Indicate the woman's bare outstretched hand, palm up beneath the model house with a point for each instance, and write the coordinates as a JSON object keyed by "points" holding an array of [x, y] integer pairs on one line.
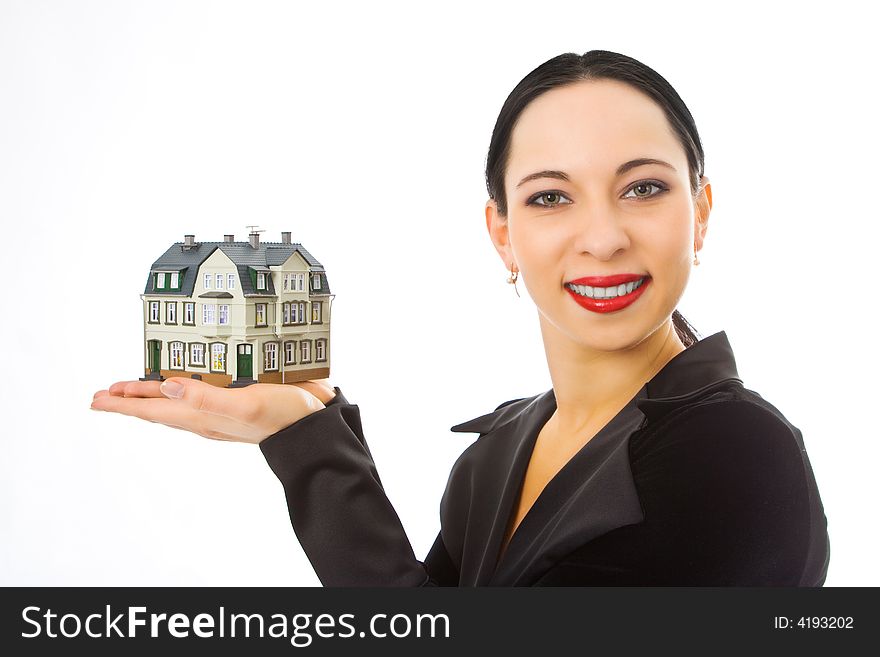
{"points": [[248, 414]]}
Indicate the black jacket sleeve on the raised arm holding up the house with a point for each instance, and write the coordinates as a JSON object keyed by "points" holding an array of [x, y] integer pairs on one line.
{"points": [[345, 523]]}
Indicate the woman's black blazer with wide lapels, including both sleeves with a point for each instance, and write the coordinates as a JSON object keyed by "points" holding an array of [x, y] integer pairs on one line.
{"points": [[698, 481]]}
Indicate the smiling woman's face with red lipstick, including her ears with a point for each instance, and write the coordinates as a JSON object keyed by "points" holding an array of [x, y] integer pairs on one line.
{"points": [[580, 207]]}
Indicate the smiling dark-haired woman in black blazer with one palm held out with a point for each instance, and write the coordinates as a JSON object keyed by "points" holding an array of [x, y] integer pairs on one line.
{"points": [[648, 463]]}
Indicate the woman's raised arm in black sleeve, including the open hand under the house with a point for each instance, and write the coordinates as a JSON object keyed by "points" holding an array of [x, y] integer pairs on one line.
{"points": [[314, 443]]}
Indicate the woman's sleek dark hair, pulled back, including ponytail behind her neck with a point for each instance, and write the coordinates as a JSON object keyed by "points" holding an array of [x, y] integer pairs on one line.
{"points": [[569, 68]]}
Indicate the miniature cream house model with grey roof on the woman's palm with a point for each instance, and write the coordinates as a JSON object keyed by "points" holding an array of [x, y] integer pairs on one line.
{"points": [[235, 313]]}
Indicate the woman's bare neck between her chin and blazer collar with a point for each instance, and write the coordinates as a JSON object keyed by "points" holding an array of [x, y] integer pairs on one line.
{"points": [[592, 385]]}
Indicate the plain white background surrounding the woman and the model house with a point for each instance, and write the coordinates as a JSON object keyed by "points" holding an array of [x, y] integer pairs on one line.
{"points": [[363, 129]]}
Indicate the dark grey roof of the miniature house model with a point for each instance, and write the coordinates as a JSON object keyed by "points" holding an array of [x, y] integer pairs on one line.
{"points": [[187, 260]]}
